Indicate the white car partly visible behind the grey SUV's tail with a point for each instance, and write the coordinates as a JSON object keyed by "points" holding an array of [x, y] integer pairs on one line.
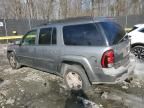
{"points": [[137, 41]]}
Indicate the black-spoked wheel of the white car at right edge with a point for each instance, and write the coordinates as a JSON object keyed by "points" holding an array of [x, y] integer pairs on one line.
{"points": [[138, 51]]}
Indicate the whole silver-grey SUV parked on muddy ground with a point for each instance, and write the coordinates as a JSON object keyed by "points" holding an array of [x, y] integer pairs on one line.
{"points": [[84, 51]]}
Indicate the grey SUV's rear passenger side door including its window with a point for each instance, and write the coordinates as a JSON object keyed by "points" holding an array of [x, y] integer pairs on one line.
{"points": [[47, 51]]}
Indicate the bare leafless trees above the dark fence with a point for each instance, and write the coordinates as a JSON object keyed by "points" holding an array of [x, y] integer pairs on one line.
{"points": [[61, 9]]}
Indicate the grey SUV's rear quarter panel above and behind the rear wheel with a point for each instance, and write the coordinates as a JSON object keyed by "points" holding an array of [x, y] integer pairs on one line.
{"points": [[89, 57]]}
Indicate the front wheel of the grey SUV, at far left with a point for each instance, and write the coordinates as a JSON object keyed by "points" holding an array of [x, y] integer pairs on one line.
{"points": [[13, 61]]}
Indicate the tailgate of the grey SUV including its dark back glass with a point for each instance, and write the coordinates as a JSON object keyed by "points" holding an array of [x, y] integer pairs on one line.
{"points": [[115, 37]]}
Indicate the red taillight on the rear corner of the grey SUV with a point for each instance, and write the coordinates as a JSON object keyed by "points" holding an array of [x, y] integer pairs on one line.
{"points": [[107, 60]]}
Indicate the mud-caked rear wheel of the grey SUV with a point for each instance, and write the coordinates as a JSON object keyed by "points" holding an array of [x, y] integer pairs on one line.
{"points": [[75, 78]]}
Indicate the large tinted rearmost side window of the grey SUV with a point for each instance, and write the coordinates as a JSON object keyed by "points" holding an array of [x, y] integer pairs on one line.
{"points": [[83, 35]]}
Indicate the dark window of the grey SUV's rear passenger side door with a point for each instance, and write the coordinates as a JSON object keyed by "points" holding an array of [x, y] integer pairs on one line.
{"points": [[47, 36]]}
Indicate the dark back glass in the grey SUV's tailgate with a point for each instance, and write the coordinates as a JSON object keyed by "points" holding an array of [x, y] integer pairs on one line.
{"points": [[113, 31]]}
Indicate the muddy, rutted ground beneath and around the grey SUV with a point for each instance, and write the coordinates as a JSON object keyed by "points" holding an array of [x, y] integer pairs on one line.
{"points": [[30, 88]]}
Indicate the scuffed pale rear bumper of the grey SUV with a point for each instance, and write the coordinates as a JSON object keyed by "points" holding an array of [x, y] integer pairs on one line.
{"points": [[114, 76]]}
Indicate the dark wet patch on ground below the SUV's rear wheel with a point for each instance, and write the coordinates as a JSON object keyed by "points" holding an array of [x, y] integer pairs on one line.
{"points": [[75, 99]]}
